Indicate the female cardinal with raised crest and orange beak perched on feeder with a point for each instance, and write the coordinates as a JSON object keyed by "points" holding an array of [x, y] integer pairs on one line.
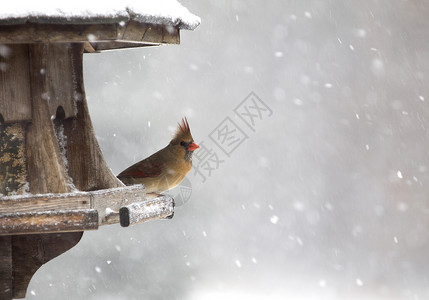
{"points": [[166, 168]]}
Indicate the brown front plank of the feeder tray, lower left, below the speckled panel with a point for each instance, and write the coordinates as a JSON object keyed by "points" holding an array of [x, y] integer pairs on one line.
{"points": [[48, 221]]}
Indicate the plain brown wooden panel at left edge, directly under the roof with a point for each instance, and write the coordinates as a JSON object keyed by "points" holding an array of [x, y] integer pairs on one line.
{"points": [[15, 102]]}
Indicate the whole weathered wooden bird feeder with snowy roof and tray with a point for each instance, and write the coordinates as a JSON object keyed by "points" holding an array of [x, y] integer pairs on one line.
{"points": [[54, 182]]}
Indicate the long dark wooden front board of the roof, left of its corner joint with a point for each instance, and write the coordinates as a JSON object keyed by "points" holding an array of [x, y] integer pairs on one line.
{"points": [[50, 33]]}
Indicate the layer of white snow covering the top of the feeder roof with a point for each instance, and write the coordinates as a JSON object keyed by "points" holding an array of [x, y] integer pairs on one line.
{"points": [[167, 12]]}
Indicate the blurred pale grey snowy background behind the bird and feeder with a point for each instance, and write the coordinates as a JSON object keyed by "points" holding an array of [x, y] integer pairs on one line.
{"points": [[322, 192]]}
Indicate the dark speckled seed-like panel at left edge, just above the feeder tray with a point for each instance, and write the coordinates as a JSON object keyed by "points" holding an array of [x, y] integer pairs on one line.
{"points": [[12, 160]]}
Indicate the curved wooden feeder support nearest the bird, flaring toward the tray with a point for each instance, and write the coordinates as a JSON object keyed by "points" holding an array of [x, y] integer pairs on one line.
{"points": [[86, 164]]}
